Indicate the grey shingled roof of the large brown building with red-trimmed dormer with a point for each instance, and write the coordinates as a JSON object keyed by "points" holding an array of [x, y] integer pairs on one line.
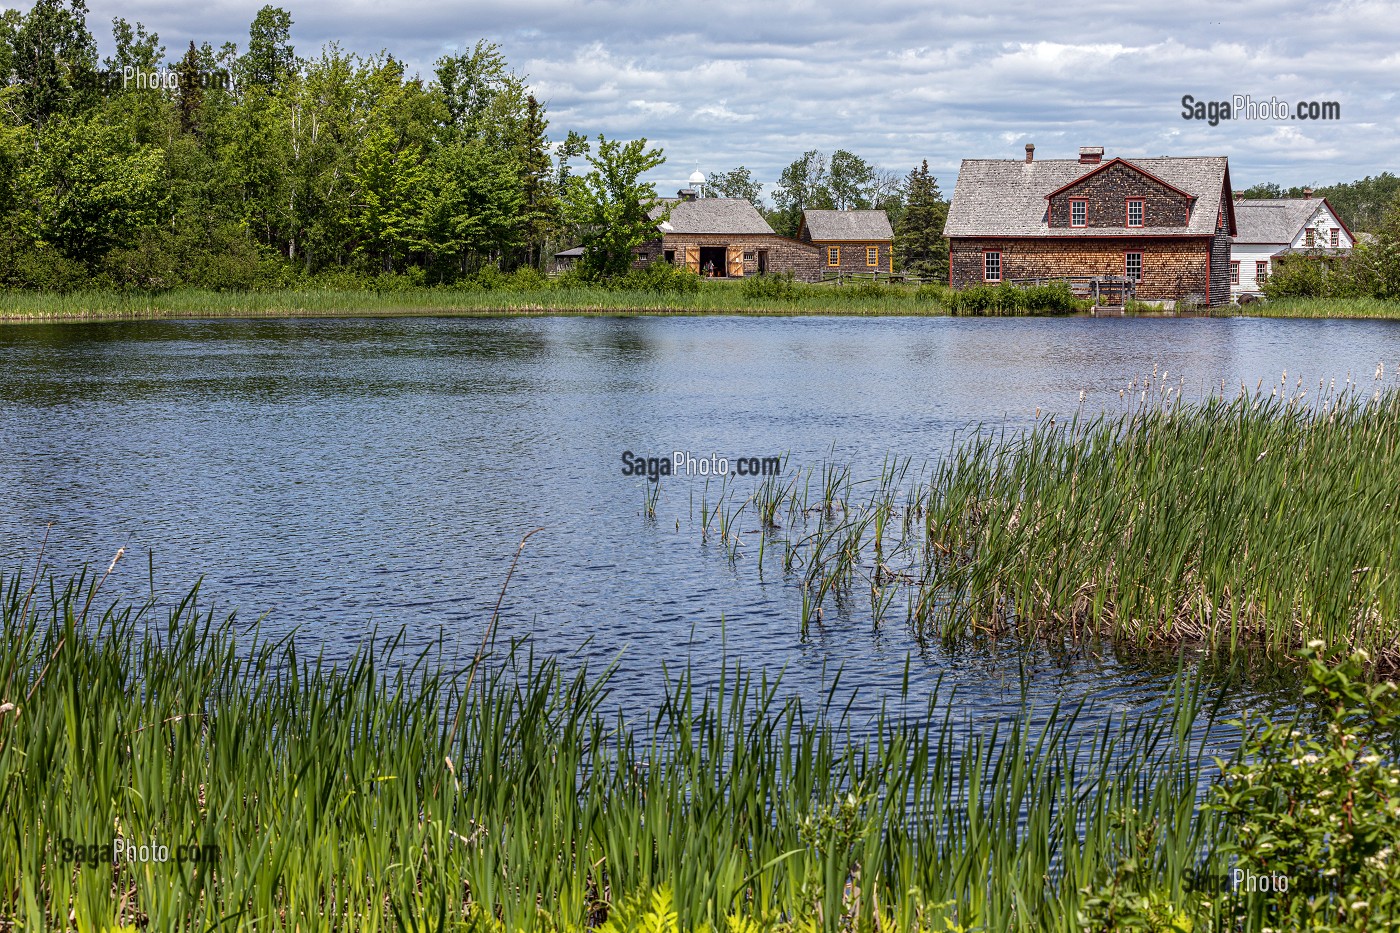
{"points": [[1007, 197]]}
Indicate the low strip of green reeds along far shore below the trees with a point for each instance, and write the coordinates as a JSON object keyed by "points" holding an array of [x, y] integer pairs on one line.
{"points": [[713, 298]]}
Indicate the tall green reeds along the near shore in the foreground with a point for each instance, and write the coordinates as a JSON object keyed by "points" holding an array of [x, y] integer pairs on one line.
{"points": [[391, 792]]}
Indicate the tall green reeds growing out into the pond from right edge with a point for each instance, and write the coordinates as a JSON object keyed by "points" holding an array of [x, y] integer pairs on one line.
{"points": [[1251, 526]]}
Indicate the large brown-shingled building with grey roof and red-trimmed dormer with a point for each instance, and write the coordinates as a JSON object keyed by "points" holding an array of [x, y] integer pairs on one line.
{"points": [[1163, 225]]}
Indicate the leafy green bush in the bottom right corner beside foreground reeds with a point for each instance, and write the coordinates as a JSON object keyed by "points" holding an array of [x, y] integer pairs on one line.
{"points": [[1321, 810]]}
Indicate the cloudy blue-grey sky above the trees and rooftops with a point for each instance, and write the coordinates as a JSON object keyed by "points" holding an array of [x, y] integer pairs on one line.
{"points": [[757, 83]]}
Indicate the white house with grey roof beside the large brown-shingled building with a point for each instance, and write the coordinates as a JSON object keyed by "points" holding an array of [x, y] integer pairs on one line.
{"points": [[1276, 228]]}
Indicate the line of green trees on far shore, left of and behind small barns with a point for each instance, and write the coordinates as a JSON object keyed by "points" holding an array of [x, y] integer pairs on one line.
{"points": [[255, 167]]}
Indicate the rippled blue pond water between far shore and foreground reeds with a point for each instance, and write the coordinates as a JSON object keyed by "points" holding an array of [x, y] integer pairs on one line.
{"points": [[339, 476]]}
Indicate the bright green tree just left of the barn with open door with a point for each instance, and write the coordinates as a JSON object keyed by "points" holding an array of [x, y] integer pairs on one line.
{"points": [[612, 205]]}
